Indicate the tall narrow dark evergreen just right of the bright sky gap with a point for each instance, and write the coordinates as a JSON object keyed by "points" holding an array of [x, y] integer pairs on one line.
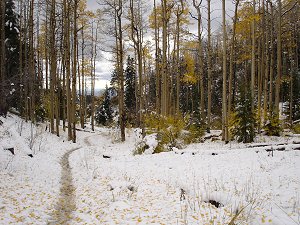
{"points": [[130, 98]]}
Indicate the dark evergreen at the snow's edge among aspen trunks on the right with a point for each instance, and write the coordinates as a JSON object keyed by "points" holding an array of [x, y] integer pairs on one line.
{"points": [[243, 123]]}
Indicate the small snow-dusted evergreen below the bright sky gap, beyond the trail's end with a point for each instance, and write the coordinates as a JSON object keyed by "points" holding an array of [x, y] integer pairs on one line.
{"points": [[104, 113]]}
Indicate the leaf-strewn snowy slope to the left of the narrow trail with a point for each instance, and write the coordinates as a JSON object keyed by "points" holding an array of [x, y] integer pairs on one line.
{"points": [[29, 186]]}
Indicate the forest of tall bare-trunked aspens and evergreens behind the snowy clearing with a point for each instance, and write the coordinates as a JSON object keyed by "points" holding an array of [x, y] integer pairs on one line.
{"points": [[173, 65]]}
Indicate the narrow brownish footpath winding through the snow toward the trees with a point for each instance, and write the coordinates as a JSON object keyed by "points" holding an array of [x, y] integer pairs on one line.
{"points": [[66, 203]]}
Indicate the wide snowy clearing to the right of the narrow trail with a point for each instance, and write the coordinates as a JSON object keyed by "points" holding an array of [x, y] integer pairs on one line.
{"points": [[176, 187]]}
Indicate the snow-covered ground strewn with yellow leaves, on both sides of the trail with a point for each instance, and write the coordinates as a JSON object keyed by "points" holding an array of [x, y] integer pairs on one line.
{"points": [[247, 183]]}
